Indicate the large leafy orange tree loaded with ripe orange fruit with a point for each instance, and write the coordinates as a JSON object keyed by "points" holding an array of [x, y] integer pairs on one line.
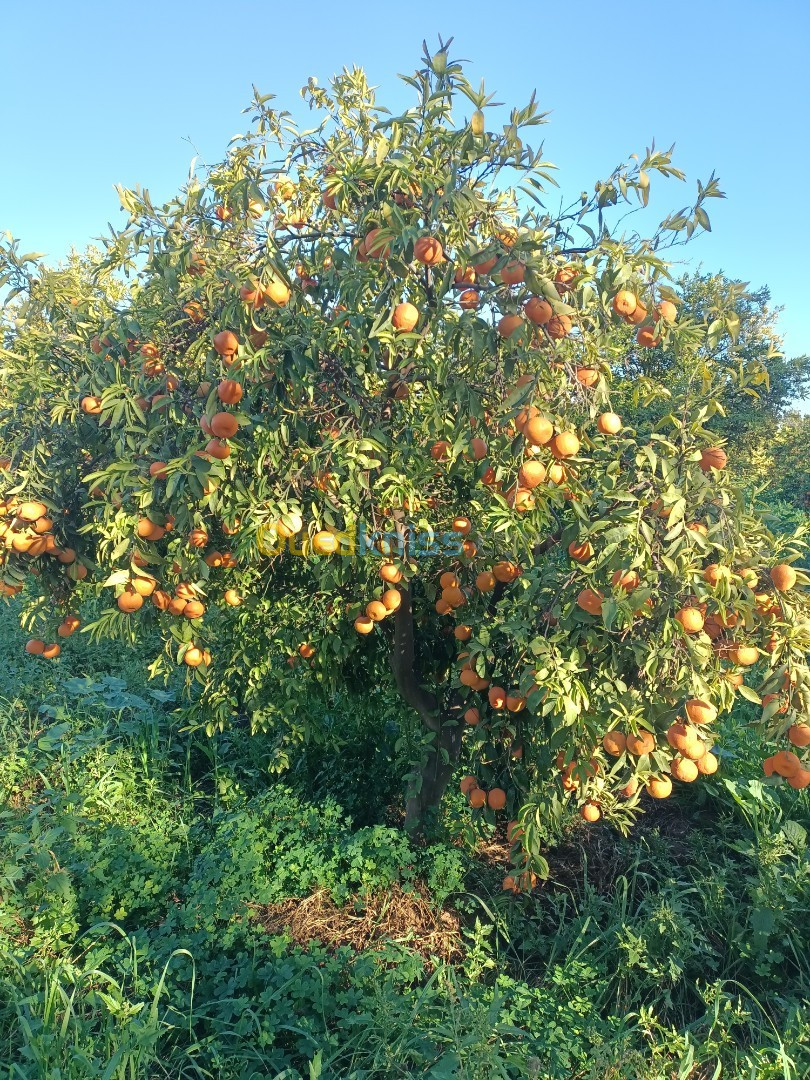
{"points": [[344, 423]]}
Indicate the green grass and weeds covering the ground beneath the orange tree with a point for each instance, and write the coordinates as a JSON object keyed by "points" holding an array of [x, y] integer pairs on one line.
{"points": [[172, 910]]}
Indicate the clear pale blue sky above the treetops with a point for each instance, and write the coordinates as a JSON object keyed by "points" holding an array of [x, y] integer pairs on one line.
{"points": [[94, 94]]}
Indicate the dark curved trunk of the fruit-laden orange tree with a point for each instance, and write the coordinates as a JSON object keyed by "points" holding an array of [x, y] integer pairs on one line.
{"points": [[445, 725]]}
